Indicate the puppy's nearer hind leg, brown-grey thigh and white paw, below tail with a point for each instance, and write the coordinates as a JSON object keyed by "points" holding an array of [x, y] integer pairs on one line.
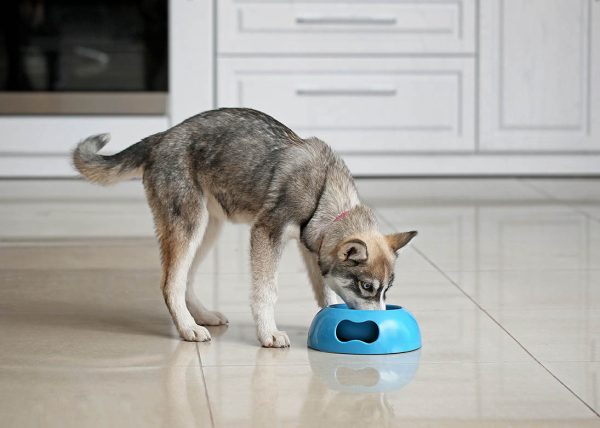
{"points": [[181, 216]]}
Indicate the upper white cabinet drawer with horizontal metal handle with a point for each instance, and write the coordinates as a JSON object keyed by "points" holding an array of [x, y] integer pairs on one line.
{"points": [[357, 27]]}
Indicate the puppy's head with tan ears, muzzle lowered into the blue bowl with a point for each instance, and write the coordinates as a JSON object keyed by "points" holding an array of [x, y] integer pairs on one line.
{"points": [[360, 268]]}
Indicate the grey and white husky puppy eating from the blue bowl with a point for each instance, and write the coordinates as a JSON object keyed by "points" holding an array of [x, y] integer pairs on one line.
{"points": [[242, 165]]}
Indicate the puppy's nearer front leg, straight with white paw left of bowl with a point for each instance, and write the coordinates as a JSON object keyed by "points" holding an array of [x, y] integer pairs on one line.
{"points": [[265, 248]]}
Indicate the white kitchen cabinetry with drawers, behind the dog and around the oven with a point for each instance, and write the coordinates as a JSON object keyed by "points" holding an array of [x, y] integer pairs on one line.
{"points": [[398, 87]]}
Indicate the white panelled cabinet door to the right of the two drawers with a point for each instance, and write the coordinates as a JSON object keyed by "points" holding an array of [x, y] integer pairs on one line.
{"points": [[540, 75]]}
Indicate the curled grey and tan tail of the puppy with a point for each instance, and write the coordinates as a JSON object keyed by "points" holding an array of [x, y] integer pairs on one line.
{"points": [[107, 170]]}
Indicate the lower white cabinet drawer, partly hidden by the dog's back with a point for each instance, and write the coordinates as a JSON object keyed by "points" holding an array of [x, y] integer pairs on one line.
{"points": [[361, 105]]}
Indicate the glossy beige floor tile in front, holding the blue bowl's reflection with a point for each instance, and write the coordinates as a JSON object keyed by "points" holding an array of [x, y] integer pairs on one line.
{"points": [[342, 394]]}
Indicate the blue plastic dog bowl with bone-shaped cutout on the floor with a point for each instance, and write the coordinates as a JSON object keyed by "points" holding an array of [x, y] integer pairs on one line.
{"points": [[341, 330]]}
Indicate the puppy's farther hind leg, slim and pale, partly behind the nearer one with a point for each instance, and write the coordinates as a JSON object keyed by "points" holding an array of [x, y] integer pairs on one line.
{"points": [[201, 314]]}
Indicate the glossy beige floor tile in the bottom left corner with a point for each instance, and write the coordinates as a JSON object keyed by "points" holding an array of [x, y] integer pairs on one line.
{"points": [[149, 396]]}
